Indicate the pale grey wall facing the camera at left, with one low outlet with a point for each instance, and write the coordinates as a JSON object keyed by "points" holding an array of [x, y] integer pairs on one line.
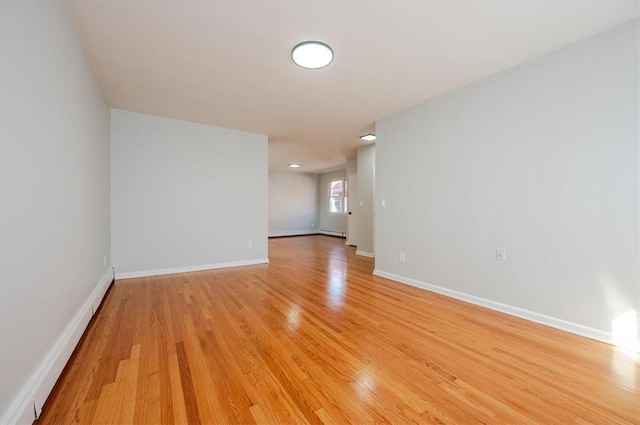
{"points": [[185, 196]]}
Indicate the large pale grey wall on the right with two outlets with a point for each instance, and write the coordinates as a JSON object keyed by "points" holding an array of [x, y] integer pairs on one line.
{"points": [[541, 160]]}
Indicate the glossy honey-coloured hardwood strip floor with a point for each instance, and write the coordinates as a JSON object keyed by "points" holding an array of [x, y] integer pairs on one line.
{"points": [[314, 338]]}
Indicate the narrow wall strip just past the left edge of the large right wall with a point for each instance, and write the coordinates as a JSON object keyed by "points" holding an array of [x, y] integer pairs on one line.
{"points": [[365, 210]]}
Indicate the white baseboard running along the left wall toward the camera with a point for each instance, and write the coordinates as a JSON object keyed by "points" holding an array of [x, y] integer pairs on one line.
{"points": [[28, 404]]}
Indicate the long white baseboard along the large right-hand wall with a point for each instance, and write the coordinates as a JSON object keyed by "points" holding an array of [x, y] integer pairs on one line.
{"points": [[561, 324]]}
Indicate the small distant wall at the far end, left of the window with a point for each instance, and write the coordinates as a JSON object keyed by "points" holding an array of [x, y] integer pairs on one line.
{"points": [[293, 203]]}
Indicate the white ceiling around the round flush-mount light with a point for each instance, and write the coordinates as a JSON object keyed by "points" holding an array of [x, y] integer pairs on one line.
{"points": [[228, 63]]}
